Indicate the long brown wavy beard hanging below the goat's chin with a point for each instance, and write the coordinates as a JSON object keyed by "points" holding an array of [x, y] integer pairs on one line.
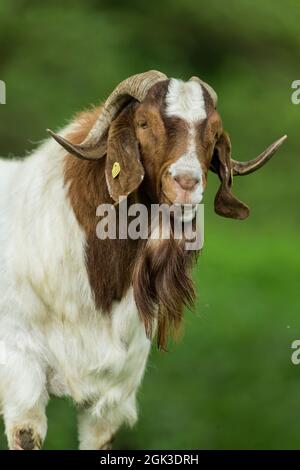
{"points": [[162, 286]]}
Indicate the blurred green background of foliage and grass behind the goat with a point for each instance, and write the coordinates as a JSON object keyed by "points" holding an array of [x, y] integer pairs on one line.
{"points": [[229, 383]]}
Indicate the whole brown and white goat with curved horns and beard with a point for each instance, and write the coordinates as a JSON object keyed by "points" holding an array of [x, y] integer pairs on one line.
{"points": [[77, 314]]}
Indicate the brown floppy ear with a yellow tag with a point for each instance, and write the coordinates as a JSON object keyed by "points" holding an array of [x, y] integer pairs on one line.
{"points": [[124, 171]]}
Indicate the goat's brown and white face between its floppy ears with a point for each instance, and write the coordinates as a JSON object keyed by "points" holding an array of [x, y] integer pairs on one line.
{"points": [[176, 127]]}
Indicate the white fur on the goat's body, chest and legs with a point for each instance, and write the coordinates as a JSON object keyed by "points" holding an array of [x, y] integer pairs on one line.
{"points": [[55, 341]]}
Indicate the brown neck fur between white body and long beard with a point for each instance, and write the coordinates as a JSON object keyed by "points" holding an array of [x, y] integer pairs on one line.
{"points": [[109, 263]]}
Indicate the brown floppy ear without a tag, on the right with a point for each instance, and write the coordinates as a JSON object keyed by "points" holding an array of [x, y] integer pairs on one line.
{"points": [[226, 204]]}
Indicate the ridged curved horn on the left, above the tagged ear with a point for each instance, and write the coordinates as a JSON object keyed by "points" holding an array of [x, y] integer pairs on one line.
{"points": [[137, 87]]}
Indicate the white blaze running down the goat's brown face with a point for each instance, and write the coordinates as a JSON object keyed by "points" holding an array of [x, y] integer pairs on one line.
{"points": [[185, 100]]}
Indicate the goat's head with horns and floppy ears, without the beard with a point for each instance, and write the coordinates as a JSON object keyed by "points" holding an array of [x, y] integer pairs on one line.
{"points": [[166, 134]]}
